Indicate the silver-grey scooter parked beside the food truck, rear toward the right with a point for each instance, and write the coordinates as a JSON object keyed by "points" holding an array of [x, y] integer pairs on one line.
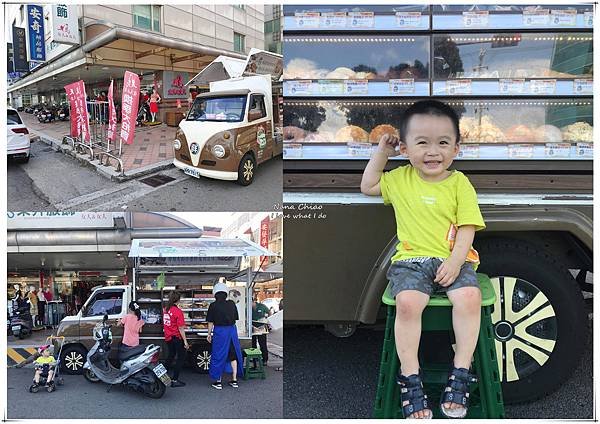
{"points": [[139, 370]]}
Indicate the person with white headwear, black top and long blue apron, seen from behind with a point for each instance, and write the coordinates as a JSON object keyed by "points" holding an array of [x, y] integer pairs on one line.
{"points": [[226, 353]]}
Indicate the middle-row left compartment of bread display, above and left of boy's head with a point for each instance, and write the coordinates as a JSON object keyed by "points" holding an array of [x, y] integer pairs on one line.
{"points": [[356, 66]]}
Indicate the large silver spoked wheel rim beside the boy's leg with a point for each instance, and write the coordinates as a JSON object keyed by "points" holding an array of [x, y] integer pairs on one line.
{"points": [[525, 327]]}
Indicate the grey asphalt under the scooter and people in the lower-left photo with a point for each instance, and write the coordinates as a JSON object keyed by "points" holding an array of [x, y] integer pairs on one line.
{"points": [[80, 399]]}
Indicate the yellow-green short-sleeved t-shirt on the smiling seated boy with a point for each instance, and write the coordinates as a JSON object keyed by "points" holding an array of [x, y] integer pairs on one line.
{"points": [[428, 213]]}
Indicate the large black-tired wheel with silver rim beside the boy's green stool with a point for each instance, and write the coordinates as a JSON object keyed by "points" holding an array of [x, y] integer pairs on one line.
{"points": [[557, 313]]}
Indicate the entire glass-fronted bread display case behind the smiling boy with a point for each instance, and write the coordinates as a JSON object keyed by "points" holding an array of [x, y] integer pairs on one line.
{"points": [[522, 89]]}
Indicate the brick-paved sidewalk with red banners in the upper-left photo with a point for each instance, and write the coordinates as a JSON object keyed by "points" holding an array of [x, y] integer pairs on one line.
{"points": [[151, 150]]}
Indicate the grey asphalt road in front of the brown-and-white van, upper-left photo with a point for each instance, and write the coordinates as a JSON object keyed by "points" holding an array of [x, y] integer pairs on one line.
{"points": [[53, 181]]}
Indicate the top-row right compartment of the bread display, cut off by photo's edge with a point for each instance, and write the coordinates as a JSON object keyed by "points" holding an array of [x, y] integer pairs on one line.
{"points": [[451, 17]]}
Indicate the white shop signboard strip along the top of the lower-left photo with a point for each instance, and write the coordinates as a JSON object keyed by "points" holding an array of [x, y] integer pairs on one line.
{"points": [[61, 220]]}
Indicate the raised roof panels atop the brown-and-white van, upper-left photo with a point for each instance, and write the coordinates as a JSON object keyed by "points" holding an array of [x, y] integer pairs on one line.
{"points": [[259, 62]]}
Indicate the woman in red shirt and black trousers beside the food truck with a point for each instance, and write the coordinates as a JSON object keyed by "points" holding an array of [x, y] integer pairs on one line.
{"points": [[173, 326]]}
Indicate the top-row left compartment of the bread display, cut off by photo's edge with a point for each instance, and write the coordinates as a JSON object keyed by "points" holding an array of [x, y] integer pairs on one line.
{"points": [[356, 17]]}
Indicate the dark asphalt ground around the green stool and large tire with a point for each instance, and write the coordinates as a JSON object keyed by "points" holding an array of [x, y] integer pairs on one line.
{"points": [[329, 377]]}
